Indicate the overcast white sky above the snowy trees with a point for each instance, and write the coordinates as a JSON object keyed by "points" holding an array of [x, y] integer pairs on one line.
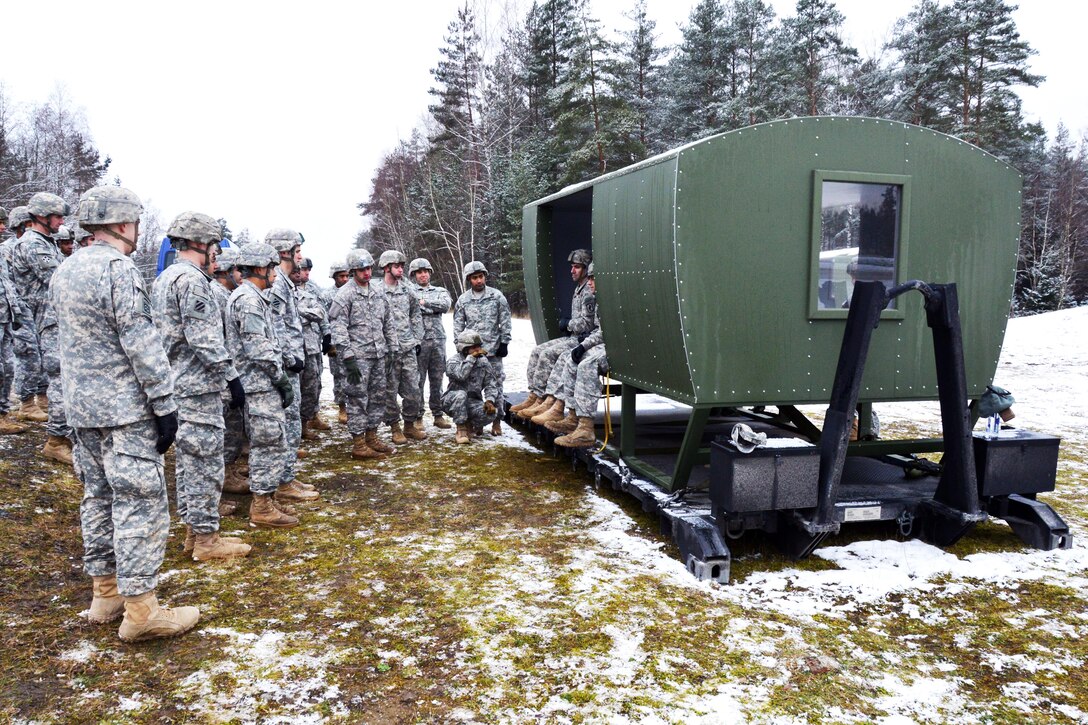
{"points": [[277, 114]]}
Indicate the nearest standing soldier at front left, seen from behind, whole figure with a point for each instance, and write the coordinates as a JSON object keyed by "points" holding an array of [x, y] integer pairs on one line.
{"points": [[120, 396]]}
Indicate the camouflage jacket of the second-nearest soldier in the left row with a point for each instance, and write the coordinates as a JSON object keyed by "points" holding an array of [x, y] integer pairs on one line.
{"points": [[192, 327]]}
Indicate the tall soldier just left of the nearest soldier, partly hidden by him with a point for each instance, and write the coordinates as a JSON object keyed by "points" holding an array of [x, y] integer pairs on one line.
{"points": [[34, 262]]}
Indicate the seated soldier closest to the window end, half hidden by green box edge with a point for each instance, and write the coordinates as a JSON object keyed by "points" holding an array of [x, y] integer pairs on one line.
{"points": [[584, 391]]}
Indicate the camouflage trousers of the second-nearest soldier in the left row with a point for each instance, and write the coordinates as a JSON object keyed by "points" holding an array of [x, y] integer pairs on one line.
{"points": [[200, 461]]}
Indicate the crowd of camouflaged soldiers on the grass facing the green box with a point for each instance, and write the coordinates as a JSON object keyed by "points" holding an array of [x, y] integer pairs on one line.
{"points": [[225, 354]]}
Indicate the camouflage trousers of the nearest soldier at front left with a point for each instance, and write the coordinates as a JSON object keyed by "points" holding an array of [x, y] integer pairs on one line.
{"points": [[125, 514]]}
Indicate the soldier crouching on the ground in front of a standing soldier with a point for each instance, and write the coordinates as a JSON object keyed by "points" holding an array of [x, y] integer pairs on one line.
{"points": [[474, 387]]}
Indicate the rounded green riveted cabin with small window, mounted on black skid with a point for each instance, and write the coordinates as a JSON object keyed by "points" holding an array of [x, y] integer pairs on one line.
{"points": [[725, 267]]}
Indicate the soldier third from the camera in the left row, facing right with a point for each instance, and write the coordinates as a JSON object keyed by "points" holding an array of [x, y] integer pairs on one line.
{"points": [[252, 341]]}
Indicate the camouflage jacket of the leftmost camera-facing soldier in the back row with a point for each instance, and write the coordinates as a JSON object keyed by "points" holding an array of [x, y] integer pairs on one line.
{"points": [[362, 323]]}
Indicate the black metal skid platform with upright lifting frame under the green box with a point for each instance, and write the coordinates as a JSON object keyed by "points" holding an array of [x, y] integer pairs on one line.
{"points": [[806, 483]]}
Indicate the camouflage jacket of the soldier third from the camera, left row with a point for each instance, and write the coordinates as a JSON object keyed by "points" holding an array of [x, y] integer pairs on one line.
{"points": [[251, 339]]}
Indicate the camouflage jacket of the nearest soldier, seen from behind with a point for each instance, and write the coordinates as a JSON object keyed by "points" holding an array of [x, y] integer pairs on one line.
{"points": [[114, 368]]}
